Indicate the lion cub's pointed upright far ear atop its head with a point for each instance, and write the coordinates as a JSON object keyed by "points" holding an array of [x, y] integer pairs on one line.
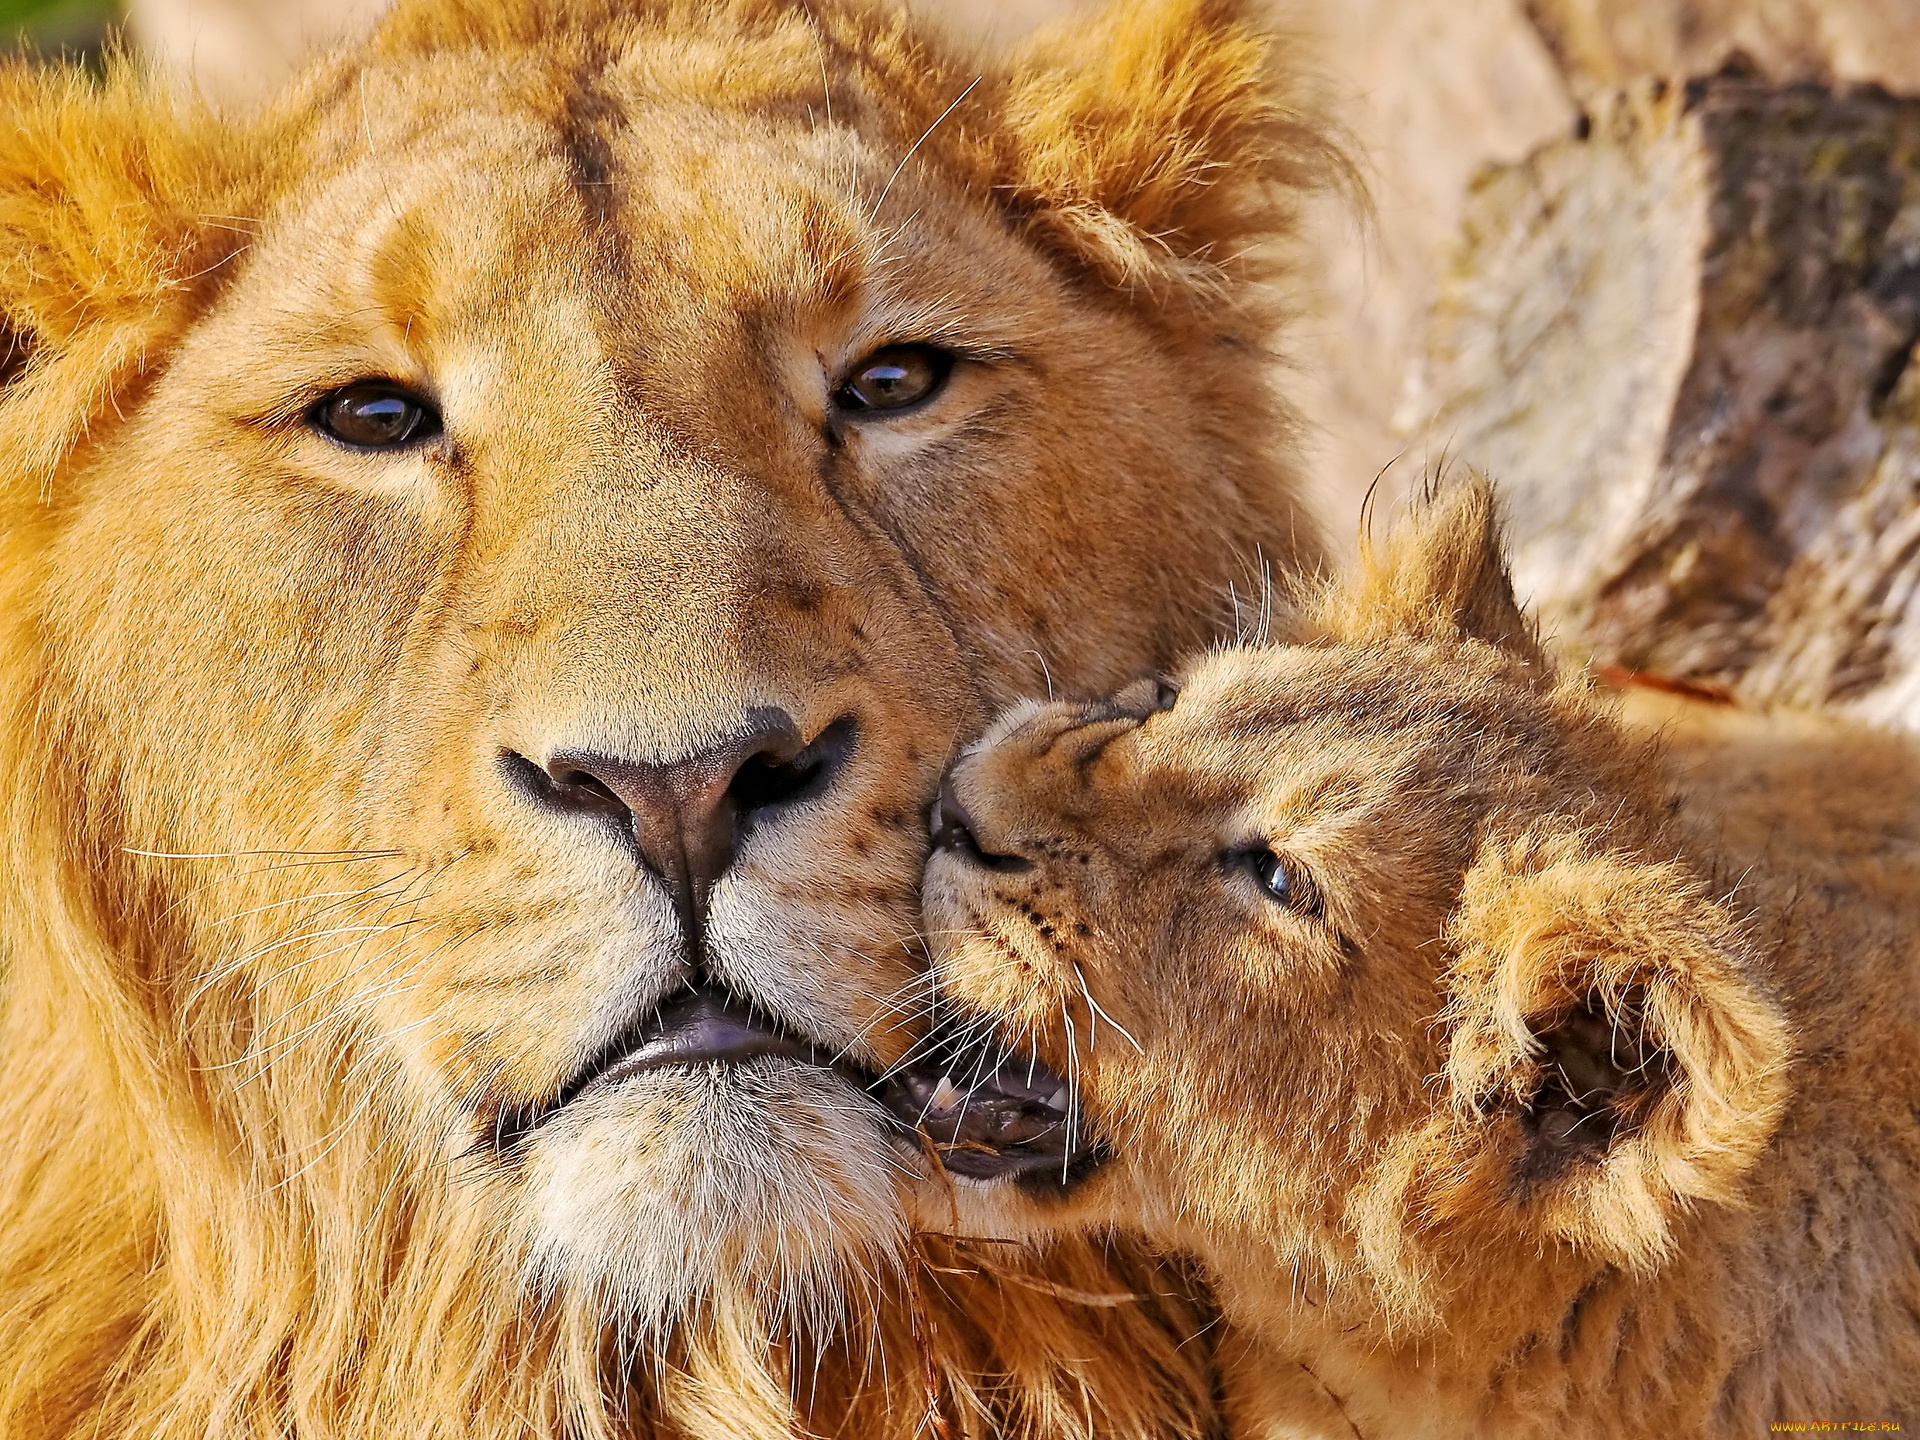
{"points": [[1443, 575]]}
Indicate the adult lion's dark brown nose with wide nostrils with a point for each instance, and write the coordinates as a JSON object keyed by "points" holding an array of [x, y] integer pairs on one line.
{"points": [[690, 813]]}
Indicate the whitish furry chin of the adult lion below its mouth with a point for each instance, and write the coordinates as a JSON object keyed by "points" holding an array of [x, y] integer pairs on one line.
{"points": [[767, 1182]]}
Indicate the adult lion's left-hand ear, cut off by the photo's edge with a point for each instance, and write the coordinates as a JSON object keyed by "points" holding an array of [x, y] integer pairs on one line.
{"points": [[114, 203]]}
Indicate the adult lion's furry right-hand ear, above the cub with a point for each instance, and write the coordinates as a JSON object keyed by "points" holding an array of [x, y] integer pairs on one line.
{"points": [[1159, 139]]}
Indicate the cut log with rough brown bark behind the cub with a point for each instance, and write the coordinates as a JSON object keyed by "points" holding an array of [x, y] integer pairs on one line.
{"points": [[1683, 341]]}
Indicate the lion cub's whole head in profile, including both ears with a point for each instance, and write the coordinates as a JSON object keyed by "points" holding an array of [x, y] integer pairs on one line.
{"points": [[1345, 953]]}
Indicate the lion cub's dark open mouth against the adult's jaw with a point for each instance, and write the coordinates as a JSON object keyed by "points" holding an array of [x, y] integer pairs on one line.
{"points": [[994, 1115]]}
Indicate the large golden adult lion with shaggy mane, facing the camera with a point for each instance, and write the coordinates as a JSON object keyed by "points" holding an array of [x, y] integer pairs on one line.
{"points": [[496, 554]]}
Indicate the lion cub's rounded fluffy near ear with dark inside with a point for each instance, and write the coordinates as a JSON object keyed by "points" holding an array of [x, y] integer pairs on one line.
{"points": [[1612, 1057]]}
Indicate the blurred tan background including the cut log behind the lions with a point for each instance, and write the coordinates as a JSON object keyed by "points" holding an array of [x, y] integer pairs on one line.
{"points": [[1654, 264]]}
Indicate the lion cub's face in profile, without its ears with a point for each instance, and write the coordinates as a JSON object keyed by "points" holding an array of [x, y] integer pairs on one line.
{"points": [[1218, 909]]}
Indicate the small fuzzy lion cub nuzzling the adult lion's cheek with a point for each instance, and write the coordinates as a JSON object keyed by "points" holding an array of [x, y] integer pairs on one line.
{"points": [[1516, 1067]]}
